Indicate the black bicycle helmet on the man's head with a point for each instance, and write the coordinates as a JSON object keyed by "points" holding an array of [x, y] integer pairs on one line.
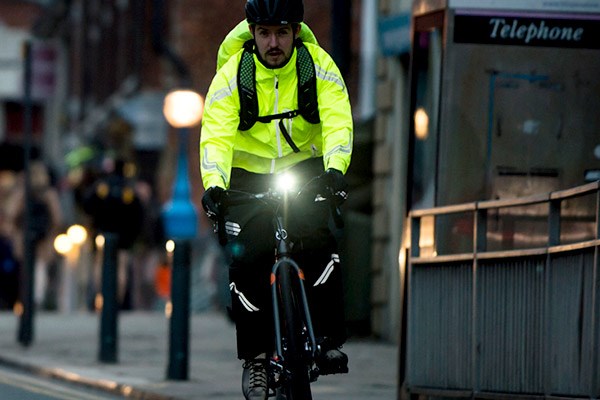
{"points": [[274, 12]]}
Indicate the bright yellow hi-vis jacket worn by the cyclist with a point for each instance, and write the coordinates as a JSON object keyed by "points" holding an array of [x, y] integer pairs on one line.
{"points": [[263, 149]]}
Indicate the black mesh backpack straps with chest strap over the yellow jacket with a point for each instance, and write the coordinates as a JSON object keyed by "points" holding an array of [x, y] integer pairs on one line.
{"points": [[307, 89]]}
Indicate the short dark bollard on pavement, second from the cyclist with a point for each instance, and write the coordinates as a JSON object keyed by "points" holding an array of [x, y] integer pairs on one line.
{"points": [[108, 318]]}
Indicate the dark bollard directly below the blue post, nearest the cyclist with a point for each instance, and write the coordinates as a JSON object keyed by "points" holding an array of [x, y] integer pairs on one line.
{"points": [[180, 314]]}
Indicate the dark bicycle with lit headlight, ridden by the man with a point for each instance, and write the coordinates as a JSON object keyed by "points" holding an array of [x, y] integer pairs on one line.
{"points": [[293, 366]]}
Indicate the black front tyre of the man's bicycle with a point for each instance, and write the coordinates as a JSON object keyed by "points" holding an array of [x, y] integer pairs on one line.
{"points": [[297, 384]]}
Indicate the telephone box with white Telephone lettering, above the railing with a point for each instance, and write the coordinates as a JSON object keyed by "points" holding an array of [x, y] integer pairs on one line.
{"points": [[504, 101]]}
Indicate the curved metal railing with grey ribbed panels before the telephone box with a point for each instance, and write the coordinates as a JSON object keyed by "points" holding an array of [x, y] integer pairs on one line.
{"points": [[515, 314]]}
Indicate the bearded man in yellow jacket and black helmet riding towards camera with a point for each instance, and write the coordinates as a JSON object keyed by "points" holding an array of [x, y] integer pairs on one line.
{"points": [[244, 143]]}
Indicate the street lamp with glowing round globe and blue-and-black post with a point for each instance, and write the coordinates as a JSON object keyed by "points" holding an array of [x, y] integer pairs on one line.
{"points": [[183, 110]]}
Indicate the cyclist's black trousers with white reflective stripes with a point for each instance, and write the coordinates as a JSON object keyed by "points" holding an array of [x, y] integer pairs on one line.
{"points": [[251, 247]]}
